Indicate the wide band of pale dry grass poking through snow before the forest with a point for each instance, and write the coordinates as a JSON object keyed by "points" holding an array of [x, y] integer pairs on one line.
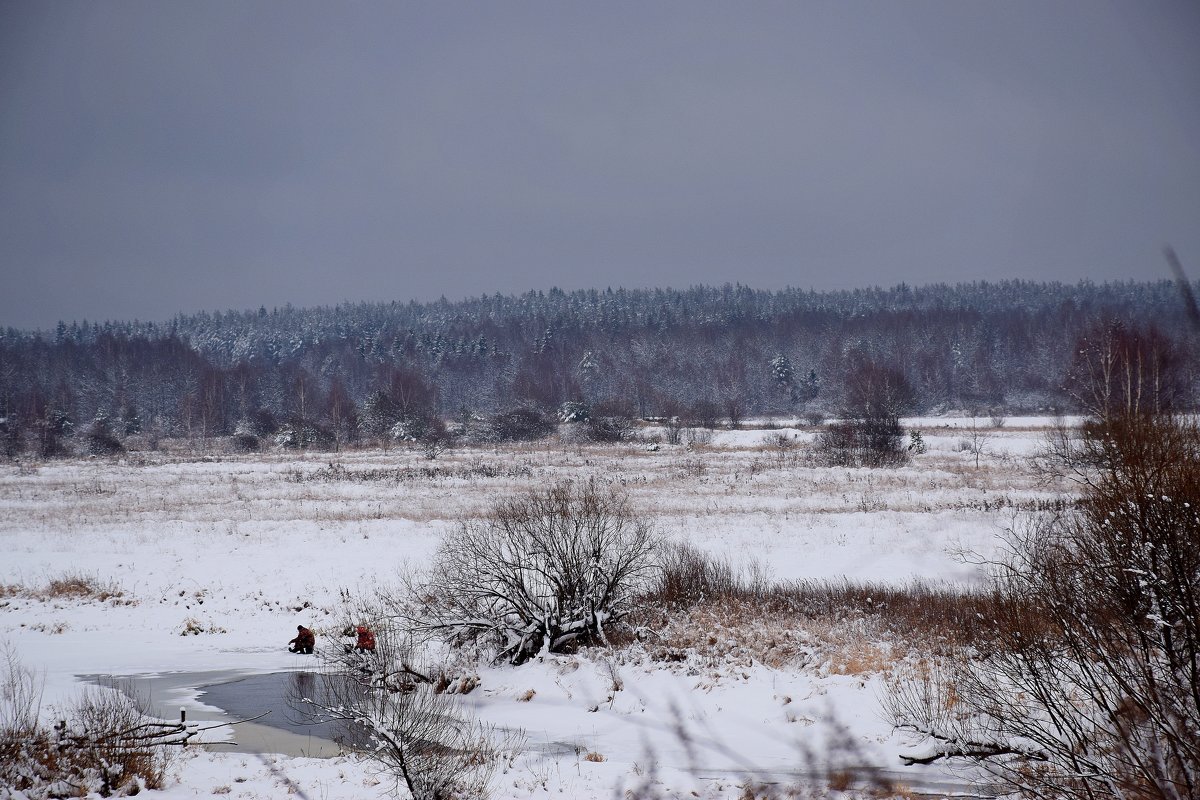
{"points": [[736, 482]]}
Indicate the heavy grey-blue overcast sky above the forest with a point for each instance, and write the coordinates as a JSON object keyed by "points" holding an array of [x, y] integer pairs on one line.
{"points": [[159, 158]]}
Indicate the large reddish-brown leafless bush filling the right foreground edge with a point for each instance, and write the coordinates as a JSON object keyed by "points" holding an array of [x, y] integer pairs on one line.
{"points": [[1091, 688]]}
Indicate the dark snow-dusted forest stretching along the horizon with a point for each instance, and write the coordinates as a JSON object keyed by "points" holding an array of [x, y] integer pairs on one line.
{"points": [[337, 376]]}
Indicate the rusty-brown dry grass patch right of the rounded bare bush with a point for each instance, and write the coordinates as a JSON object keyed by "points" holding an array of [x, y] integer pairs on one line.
{"points": [[706, 615]]}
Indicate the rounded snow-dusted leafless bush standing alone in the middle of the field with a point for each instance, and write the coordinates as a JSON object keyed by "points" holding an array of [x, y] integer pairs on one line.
{"points": [[545, 570]]}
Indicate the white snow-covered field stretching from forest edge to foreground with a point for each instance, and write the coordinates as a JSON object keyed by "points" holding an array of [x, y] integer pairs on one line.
{"points": [[209, 563]]}
